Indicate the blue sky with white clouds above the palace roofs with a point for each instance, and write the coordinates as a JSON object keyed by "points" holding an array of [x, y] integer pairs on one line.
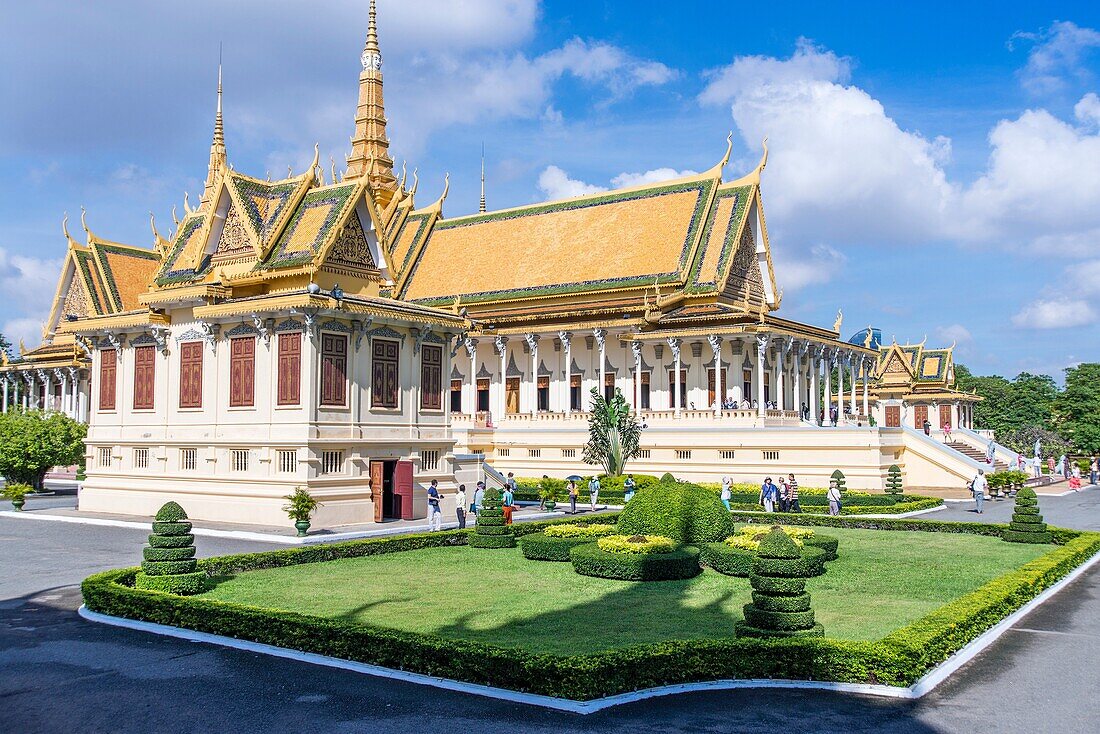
{"points": [[934, 169]]}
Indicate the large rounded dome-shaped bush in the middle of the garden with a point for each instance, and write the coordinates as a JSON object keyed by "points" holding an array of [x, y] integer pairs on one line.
{"points": [[681, 511]]}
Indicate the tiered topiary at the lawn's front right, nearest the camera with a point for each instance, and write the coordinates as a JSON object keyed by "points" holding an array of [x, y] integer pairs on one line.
{"points": [[780, 604]]}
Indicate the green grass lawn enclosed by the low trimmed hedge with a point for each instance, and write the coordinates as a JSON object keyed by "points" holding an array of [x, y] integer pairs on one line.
{"points": [[883, 582]]}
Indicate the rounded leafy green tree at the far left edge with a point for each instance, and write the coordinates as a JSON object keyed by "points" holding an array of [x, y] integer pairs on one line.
{"points": [[34, 442]]}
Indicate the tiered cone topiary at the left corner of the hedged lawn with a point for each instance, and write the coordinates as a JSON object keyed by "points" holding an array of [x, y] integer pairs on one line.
{"points": [[170, 564]]}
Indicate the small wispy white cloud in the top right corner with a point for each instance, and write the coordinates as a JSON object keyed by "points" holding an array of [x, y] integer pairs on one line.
{"points": [[1058, 58]]}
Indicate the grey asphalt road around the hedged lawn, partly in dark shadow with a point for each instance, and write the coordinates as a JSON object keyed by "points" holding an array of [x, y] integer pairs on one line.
{"points": [[60, 674]]}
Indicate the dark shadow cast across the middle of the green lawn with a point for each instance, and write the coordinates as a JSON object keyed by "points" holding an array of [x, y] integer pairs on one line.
{"points": [[639, 614]]}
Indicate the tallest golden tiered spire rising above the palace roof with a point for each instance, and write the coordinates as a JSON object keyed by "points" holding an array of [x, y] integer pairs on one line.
{"points": [[370, 146]]}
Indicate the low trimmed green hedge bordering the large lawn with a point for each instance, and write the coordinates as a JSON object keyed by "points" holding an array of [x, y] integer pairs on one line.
{"points": [[899, 660]]}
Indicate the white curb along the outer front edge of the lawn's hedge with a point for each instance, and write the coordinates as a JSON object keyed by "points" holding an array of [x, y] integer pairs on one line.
{"points": [[921, 688]]}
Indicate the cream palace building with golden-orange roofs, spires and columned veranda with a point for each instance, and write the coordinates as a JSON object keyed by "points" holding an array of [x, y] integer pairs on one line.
{"points": [[339, 336]]}
